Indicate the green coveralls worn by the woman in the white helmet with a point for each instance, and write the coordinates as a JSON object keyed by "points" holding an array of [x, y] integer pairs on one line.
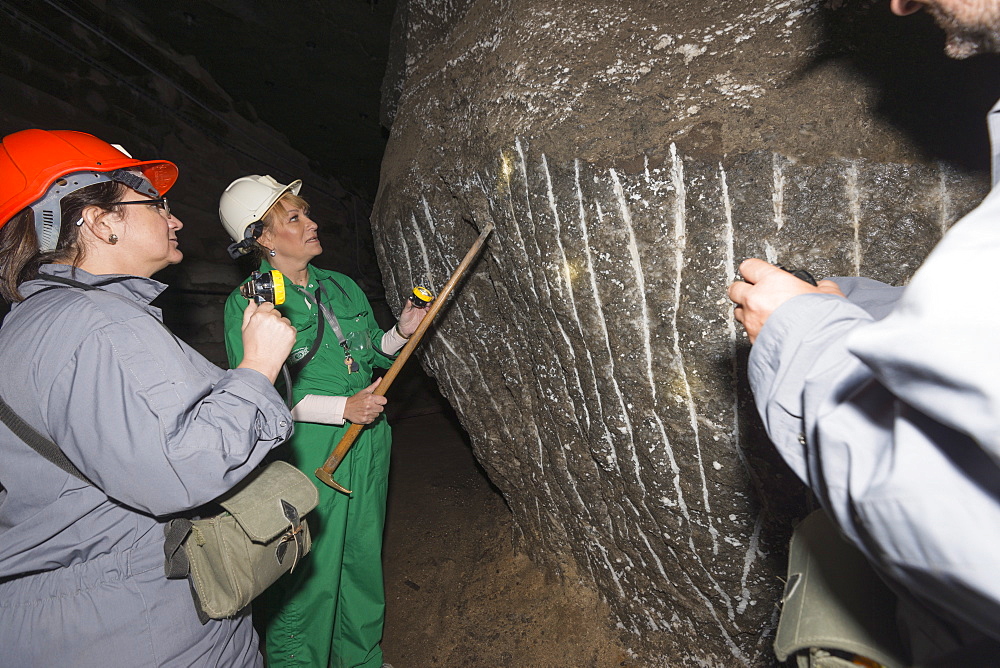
{"points": [[331, 610]]}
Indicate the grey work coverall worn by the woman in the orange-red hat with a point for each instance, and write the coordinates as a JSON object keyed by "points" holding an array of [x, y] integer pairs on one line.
{"points": [[159, 430]]}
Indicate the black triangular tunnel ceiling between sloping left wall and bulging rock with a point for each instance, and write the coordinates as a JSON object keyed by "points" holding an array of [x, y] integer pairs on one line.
{"points": [[312, 69]]}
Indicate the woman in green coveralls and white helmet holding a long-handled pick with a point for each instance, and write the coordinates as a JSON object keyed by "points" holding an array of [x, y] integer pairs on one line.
{"points": [[330, 611]]}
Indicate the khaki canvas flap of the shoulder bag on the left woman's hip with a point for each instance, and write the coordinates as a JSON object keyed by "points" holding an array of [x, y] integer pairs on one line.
{"points": [[256, 503]]}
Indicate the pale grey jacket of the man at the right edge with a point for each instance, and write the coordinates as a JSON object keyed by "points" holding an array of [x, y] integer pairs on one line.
{"points": [[890, 412]]}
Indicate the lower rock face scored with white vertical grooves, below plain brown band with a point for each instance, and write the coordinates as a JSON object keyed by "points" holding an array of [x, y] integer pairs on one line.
{"points": [[595, 361]]}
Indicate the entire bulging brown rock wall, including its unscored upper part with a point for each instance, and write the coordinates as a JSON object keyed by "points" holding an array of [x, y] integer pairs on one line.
{"points": [[630, 155]]}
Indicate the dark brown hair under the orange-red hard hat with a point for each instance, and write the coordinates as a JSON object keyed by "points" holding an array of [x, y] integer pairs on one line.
{"points": [[19, 254]]}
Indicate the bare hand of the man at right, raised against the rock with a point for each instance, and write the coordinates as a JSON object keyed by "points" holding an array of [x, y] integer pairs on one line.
{"points": [[764, 288]]}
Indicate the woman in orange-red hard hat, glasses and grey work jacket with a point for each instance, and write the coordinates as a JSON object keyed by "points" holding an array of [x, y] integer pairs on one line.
{"points": [[152, 424]]}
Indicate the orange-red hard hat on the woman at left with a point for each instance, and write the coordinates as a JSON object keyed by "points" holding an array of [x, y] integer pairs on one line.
{"points": [[31, 160]]}
